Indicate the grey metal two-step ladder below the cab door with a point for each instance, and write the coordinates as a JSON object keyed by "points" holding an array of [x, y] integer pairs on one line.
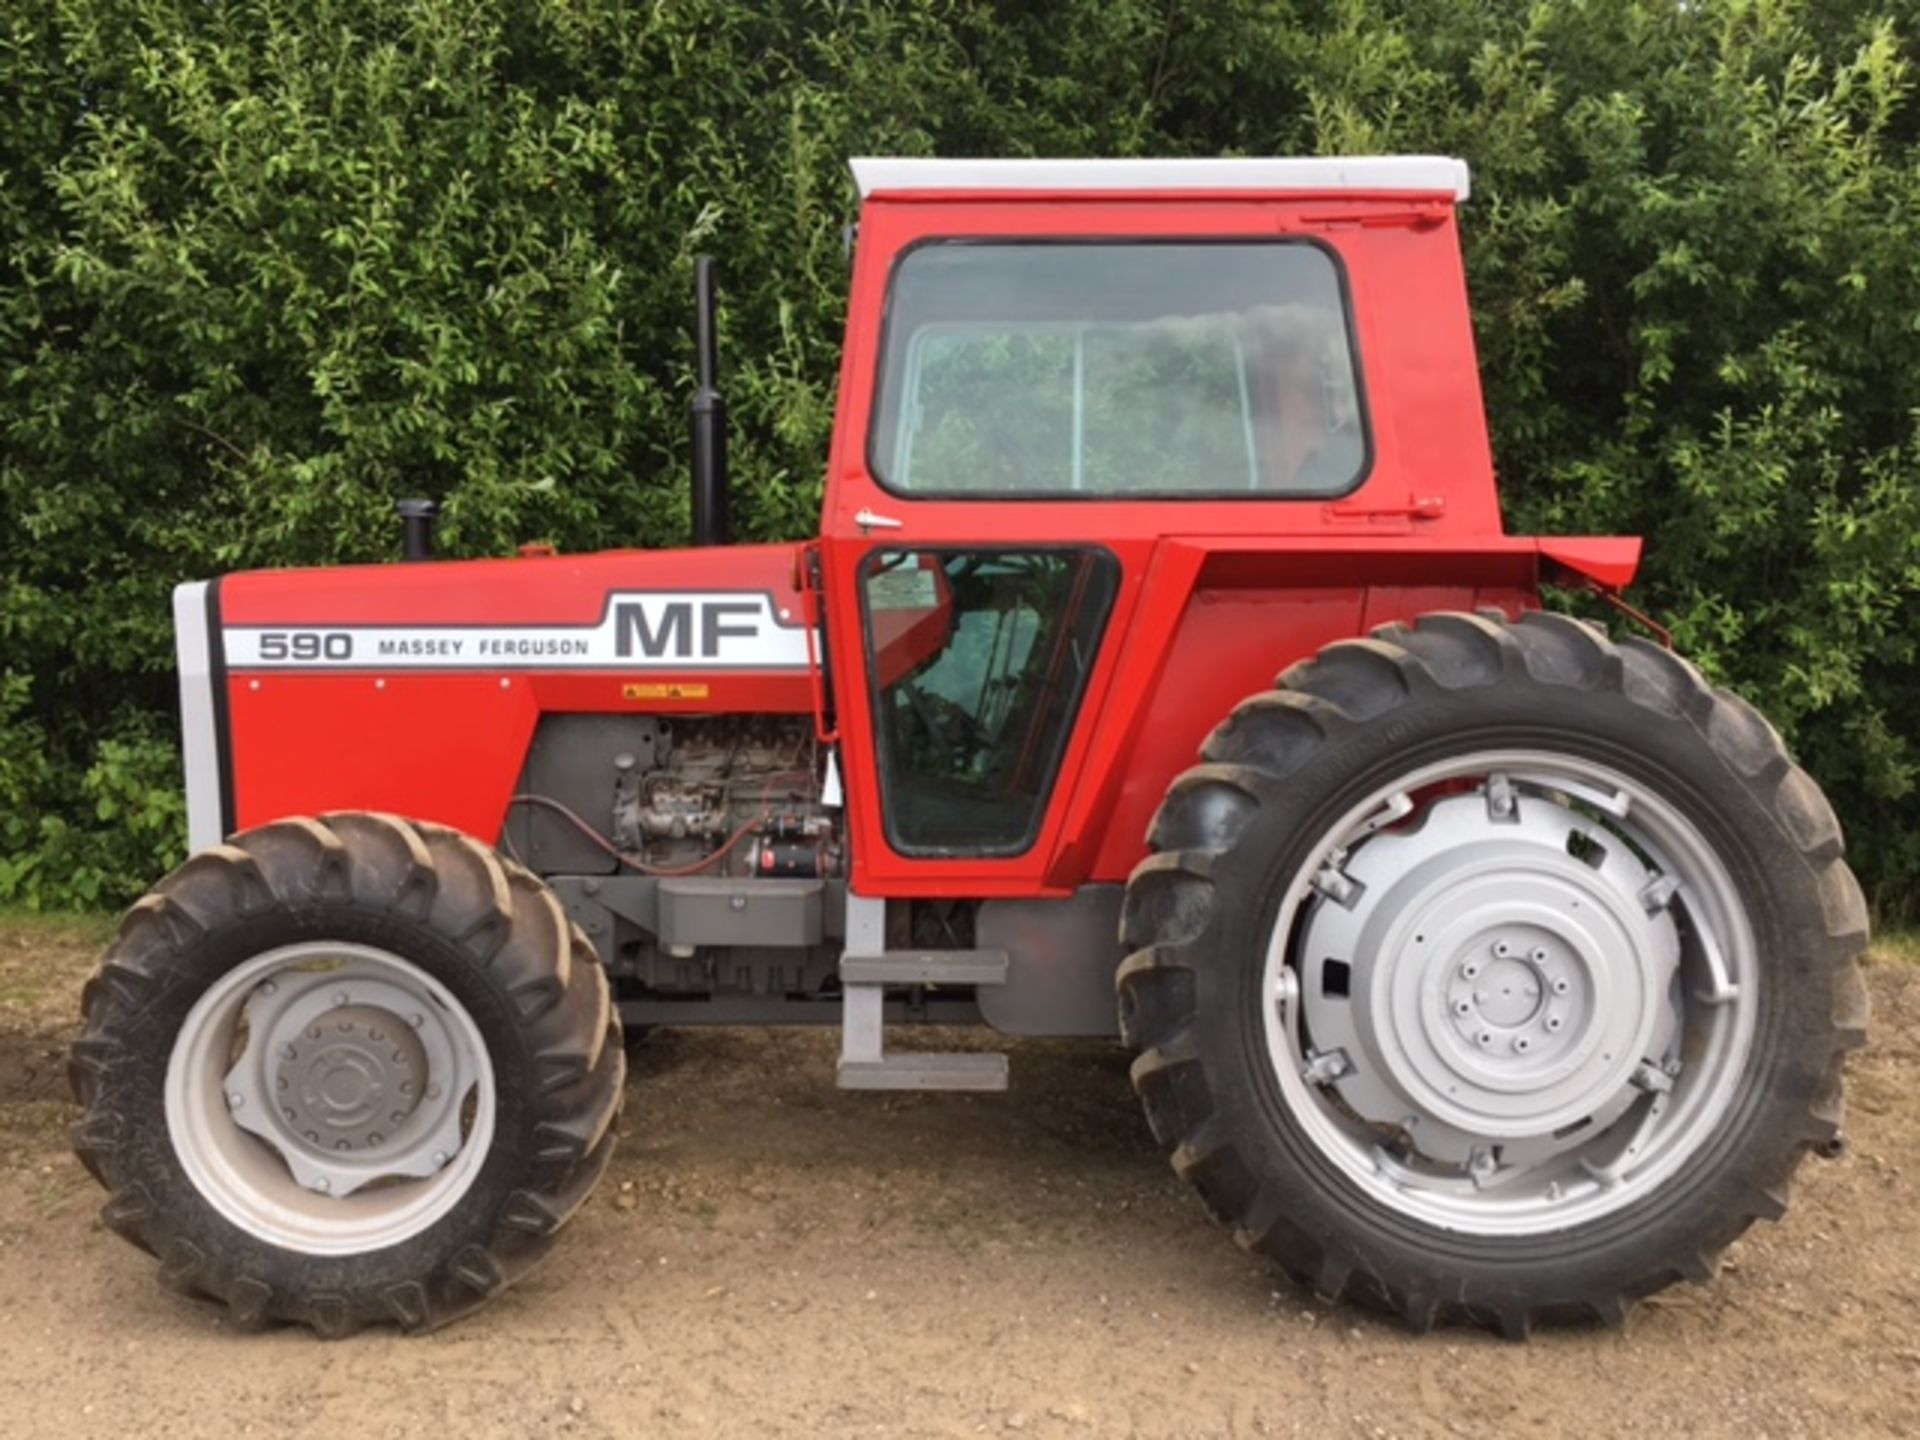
{"points": [[867, 971]]}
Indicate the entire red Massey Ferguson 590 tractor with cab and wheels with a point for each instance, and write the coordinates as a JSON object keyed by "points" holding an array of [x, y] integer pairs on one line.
{"points": [[1161, 669]]}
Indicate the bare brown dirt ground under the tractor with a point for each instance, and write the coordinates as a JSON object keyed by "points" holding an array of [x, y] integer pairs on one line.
{"points": [[777, 1259]]}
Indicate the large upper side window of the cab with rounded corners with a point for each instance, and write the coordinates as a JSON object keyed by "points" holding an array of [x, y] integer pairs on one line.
{"points": [[1118, 370]]}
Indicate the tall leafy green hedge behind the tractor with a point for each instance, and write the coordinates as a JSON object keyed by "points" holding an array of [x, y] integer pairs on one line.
{"points": [[266, 268]]}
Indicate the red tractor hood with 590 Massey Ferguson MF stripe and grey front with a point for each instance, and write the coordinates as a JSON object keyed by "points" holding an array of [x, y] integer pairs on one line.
{"points": [[289, 677]]}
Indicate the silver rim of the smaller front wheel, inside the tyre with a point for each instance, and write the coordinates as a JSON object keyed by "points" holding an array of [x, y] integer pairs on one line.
{"points": [[331, 1099]]}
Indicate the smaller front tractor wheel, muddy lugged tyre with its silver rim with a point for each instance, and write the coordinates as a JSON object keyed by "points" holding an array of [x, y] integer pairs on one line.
{"points": [[347, 1070]]}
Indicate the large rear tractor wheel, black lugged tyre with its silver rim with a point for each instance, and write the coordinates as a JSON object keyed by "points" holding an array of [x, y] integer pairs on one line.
{"points": [[1493, 972]]}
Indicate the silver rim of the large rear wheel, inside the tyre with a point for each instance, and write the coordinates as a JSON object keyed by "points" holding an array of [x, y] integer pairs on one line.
{"points": [[1510, 994]]}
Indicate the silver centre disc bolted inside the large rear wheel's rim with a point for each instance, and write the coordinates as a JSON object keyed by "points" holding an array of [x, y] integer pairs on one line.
{"points": [[1502, 978]]}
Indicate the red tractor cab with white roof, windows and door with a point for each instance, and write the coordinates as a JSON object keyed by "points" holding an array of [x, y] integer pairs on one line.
{"points": [[1074, 396]]}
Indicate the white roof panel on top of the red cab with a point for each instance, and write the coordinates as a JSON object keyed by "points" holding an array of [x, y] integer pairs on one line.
{"points": [[1297, 176]]}
